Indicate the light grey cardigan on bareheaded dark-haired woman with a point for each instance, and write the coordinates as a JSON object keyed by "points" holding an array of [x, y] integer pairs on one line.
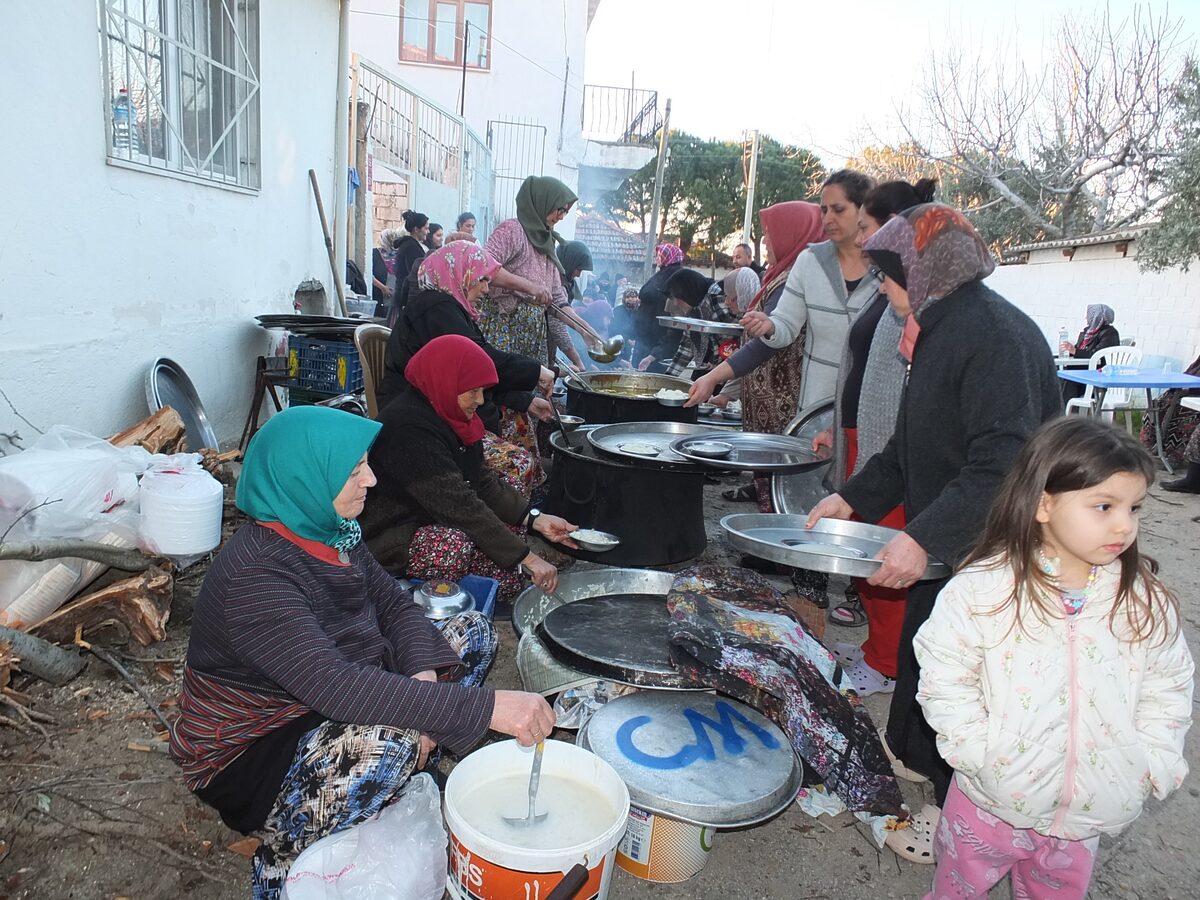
{"points": [[815, 296]]}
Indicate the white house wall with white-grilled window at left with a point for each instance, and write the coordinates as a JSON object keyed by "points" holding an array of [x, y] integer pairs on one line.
{"points": [[157, 221]]}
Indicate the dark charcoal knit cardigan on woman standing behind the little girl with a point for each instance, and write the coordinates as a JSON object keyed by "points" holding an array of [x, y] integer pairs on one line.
{"points": [[982, 381]]}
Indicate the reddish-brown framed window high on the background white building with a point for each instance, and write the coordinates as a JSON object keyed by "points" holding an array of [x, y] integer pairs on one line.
{"points": [[442, 32]]}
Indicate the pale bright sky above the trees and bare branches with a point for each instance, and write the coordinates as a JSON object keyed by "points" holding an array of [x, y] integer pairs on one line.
{"points": [[829, 76]]}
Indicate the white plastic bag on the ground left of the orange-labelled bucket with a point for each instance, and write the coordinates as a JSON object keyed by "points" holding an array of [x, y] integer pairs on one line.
{"points": [[400, 855]]}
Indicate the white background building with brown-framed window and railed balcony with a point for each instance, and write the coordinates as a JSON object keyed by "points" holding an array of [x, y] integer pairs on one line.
{"points": [[514, 71]]}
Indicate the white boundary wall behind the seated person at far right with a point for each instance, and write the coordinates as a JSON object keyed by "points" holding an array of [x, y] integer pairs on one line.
{"points": [[1161, 310]]}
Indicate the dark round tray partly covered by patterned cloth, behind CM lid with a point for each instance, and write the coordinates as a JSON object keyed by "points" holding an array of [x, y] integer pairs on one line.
{"points": [[620, 639]]}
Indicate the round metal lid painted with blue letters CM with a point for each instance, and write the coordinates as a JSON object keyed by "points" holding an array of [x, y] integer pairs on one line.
{"points": [[698, 758]]}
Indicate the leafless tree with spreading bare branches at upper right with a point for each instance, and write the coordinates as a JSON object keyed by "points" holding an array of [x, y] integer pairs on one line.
{"points": [[1075, 146]]}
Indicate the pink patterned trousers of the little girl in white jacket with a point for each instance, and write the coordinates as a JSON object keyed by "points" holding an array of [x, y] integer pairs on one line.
{"points": [[976, 850]]}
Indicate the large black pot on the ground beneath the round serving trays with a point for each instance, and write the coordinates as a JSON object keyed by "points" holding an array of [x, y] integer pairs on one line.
{"points": [[657, 512]]}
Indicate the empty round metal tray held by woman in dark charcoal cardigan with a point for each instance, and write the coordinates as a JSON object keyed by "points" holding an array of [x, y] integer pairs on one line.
{"points": [[832, 545]]}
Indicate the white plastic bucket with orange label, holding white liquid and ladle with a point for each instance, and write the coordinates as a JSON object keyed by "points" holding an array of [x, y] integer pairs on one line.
{"points": [[483, 868]]}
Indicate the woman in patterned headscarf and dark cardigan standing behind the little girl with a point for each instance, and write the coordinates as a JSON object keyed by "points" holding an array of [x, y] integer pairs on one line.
{"points": [[981, 381]]}
